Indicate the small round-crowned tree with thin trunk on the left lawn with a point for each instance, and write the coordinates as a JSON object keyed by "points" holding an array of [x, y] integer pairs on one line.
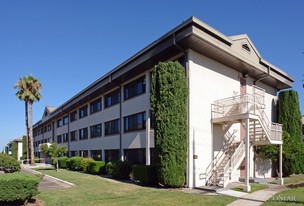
{"points": [[54, 151]]}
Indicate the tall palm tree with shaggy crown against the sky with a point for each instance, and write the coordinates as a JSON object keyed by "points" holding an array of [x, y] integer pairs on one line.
{"points": [[29, 92]]}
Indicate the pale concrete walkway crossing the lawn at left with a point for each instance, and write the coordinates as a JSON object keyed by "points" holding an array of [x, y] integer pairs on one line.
{"points": [[48, 182]]}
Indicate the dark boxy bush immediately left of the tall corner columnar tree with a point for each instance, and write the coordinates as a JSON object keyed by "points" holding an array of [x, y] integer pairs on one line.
{"points": [[145, 174]]}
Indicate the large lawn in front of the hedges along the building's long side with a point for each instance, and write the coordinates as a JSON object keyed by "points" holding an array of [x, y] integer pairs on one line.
{"points": [[94, 190]]}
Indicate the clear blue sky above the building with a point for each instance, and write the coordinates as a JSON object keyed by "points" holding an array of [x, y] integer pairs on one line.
{"points": [[68, 44]]}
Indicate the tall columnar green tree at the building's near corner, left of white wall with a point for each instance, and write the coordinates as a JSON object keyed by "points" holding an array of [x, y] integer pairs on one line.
{"points": [[169, 108]]}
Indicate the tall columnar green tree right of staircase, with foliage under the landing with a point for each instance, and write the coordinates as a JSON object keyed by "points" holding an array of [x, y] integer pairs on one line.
{"points": [[293, 149]]}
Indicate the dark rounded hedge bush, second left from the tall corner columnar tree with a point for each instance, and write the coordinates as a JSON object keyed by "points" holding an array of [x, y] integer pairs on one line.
{"points": [[119, 169]]}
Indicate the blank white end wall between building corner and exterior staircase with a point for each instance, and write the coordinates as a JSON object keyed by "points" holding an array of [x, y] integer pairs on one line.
{"points": [[208, 81]]}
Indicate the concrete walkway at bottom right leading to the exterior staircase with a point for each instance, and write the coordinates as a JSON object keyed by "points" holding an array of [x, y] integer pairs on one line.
{"points": [[258, 197]]}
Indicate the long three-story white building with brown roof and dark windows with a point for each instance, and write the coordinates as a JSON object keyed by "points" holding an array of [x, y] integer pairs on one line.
{"points": [[231, 107]]}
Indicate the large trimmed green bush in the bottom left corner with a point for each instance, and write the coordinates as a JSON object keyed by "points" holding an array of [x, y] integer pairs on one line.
{"points": [[17, 187]]}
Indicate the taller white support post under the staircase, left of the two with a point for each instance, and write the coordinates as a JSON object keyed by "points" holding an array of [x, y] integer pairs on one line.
{"points": [[247, 187]]}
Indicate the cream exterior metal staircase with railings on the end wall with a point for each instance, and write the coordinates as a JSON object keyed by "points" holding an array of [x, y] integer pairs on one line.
{"points": [[261, 131]]}
